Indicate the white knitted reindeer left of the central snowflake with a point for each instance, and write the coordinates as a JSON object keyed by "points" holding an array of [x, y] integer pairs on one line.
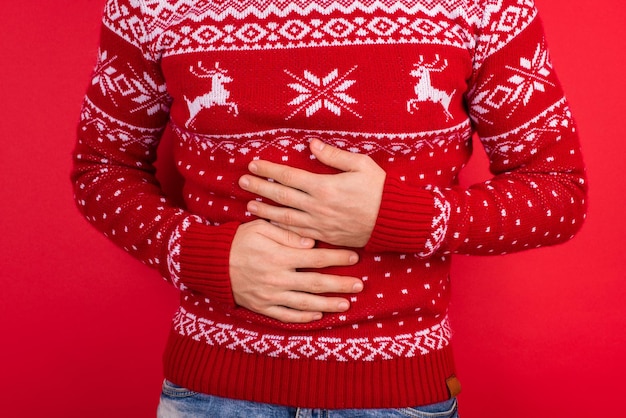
{"points": [[218, 96]]}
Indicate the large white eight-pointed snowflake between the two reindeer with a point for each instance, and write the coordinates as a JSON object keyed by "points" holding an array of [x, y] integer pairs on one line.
{"points": [[328, 92]]}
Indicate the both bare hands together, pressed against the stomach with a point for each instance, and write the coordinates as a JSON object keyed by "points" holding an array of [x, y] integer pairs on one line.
{"points": [[267, 253]]}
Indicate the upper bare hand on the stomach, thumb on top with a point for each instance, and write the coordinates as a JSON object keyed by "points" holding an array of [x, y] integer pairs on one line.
{"points": [[339, 209]]}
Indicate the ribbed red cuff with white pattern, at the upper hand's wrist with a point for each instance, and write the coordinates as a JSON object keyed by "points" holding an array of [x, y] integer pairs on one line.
{"points": [[410, 220]]}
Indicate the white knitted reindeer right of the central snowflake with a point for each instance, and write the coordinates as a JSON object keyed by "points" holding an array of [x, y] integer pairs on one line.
{"points": [[424, 89]]}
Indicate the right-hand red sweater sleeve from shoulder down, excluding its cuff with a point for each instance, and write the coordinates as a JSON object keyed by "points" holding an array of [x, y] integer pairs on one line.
{"points": [[538, 194]]}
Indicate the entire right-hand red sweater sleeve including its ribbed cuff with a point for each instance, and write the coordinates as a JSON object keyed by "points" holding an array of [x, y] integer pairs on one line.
{"points": [[537, 196]]}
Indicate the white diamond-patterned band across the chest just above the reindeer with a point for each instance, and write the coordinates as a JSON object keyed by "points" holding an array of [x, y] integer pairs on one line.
{"points": [[303, 32]]}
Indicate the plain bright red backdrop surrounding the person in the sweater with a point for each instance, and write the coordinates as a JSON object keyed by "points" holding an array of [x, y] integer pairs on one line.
{"points": [[82, 325]]}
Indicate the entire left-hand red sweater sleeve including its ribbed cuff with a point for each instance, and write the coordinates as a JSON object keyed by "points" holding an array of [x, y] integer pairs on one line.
{"points": [[124, 114]]}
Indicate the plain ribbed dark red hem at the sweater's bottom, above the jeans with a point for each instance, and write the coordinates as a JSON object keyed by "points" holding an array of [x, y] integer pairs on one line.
{"points": [[308, 383]]}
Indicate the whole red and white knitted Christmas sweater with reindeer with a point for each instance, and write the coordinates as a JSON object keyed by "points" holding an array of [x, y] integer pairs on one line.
{"points": [[406, 82]]}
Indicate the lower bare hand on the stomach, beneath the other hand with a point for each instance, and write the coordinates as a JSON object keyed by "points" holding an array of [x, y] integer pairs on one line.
{"points": [[264, 263]]}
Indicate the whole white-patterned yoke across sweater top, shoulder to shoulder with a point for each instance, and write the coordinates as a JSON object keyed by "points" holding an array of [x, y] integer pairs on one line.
{"points": [[149, 25]]}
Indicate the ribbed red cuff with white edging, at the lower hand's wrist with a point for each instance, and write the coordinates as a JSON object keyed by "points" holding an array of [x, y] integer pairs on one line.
{"points": [[198, 259]]}
